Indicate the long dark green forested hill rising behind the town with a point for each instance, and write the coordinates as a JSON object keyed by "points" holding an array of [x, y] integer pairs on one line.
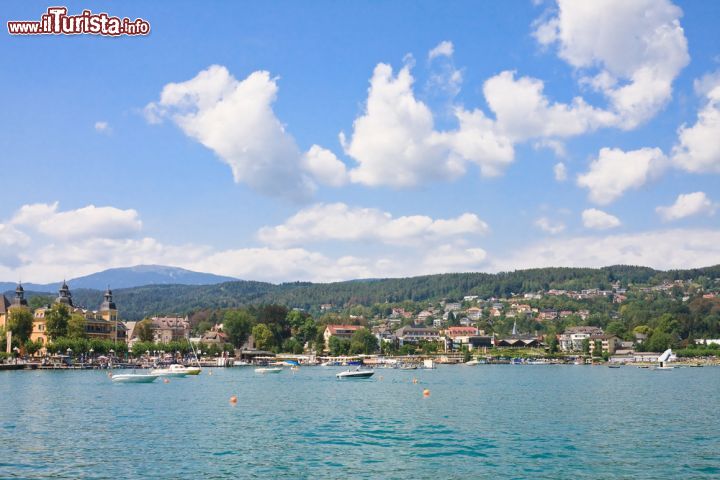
{"points": [[138, 302]]}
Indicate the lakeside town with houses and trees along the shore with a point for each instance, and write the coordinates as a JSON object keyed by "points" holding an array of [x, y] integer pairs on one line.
{"points": [[559, 326]]}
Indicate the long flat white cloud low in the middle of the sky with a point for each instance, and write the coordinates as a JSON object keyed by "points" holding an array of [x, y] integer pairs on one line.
{"points": [[338, 221]]}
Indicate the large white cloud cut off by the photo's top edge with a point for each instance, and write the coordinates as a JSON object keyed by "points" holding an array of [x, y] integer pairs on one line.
{"points": [[630, 51]]}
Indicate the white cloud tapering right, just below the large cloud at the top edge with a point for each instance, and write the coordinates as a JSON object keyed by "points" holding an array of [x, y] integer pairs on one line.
{"points": [[523, 111]]}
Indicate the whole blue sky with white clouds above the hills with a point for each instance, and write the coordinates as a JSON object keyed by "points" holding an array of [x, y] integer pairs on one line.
{"points": [[534, 134]]}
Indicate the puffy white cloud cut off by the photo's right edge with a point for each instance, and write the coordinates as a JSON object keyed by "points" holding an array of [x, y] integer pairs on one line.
{"points": [[698, 149]]}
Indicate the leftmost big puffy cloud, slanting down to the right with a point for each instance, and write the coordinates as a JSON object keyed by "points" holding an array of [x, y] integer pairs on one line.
{"points": [[236, 121]]}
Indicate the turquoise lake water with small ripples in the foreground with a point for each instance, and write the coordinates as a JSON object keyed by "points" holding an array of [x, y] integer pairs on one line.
{"points": [[478, 422]]}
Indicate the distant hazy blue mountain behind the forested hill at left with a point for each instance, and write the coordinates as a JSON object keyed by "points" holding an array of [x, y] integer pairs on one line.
{"points": [[127, 278]]}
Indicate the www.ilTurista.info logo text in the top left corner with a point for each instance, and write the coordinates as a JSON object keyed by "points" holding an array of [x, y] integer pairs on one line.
{"points": [[57, 22]]}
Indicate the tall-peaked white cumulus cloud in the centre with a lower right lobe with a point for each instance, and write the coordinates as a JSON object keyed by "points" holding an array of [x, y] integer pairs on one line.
{"points": [[395, 143]]}
